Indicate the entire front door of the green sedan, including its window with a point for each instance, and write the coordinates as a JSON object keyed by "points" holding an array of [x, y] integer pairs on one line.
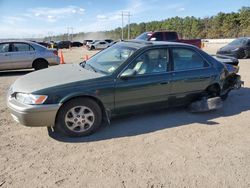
{"points": [[150, 85]]}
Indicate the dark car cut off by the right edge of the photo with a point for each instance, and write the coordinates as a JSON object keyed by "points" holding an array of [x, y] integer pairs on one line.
{"points": [[239, 48]]}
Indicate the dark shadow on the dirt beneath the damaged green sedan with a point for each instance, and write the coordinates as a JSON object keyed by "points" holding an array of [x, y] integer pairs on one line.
{"points": [[138, 124]]}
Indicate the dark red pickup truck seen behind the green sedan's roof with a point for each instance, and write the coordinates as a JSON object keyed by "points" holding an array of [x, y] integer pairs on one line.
{"points": [[170, 36]]}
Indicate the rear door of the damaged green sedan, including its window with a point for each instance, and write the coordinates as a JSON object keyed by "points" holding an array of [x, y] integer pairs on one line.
{"points": [[191, 75]]}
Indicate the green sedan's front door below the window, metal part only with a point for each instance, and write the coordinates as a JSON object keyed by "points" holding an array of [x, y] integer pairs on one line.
{"points": [[142, 90]]}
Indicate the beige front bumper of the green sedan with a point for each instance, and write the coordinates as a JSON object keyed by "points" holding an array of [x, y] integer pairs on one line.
{"points": [[33, 115]]}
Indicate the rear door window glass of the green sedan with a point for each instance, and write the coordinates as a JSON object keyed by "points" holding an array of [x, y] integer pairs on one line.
{"points": [[187, 59]]}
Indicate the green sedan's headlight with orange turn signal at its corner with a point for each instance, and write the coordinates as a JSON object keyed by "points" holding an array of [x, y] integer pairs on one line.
{"points": [[31, 99]]}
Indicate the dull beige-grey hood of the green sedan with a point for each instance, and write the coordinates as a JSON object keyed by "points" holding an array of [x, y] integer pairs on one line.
{"points": [[53, 76]]}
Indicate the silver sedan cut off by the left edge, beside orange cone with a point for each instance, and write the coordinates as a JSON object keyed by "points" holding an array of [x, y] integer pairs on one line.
{"points": [[25, 55]]}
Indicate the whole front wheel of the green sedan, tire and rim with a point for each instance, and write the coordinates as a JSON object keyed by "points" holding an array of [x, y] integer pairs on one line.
{"points": [[79, 117]]}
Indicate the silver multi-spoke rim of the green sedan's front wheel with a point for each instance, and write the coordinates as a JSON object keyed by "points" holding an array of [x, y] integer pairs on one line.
{"points": [[79, 119]]}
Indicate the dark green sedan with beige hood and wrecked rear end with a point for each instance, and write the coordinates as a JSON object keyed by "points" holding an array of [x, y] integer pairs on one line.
{"points": [[127, 77]]}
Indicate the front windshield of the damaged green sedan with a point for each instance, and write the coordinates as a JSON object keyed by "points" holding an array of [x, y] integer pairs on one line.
{"points": [[108, 60]]}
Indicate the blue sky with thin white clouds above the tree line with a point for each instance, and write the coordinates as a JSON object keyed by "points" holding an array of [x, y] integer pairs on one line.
{"points": [[40, 18]]}
